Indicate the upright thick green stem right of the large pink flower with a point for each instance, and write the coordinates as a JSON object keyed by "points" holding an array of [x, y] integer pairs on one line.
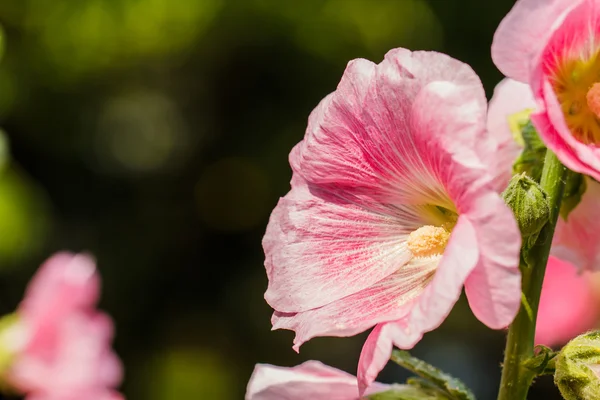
{"points": [[516, 379]]}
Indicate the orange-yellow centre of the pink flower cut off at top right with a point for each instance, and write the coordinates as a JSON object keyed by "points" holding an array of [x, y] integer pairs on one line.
{"points": [[576, 86]]}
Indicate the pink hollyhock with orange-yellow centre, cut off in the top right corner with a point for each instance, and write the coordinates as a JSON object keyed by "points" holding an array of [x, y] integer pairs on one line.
{"points": [[554, 46]]}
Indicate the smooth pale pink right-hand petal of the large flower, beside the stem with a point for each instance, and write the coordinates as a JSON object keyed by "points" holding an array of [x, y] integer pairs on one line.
{"points": [[494, 287]]}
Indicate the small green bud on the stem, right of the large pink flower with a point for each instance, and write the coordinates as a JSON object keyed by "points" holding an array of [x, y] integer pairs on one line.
{"points": [[529, 203]]}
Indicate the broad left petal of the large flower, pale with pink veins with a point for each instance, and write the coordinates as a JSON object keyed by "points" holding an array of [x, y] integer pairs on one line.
{"points": [[321, 248]]}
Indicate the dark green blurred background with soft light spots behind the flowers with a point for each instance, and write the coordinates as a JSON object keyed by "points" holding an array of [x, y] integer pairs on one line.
{"points": [[155, 134]]}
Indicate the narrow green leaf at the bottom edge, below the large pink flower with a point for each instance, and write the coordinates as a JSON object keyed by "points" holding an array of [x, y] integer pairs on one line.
{"points": [[453, 388]]}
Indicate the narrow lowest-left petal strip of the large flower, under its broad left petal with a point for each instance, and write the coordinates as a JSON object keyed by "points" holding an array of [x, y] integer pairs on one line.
{"points": [[387, 300]]}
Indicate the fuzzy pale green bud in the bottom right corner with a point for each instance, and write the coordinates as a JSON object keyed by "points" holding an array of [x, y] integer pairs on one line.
{"points": [[578, 368]]}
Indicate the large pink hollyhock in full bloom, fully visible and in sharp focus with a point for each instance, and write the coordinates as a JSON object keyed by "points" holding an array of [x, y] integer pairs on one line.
{"points": [[393, 208]]}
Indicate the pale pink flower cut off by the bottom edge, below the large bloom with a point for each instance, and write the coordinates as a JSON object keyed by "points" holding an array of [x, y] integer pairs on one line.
{"points": [[310, 380]]}
